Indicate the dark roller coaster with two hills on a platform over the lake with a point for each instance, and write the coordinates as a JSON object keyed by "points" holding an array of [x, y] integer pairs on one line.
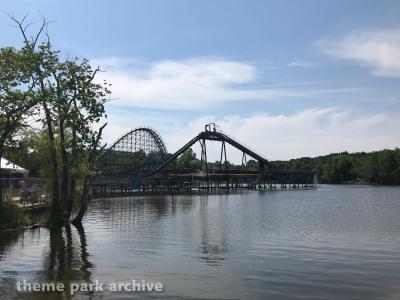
{"points": [[139, 161]]}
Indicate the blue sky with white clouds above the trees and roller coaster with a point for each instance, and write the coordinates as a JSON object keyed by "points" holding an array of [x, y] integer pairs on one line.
{"points": [[288, 78]]}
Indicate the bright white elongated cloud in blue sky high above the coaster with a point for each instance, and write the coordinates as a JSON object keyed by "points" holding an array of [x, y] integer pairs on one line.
{"points": [[191, 84]]}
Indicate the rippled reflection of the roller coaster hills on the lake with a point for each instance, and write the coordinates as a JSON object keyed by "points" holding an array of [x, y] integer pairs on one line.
{"points": [[130, 215]]}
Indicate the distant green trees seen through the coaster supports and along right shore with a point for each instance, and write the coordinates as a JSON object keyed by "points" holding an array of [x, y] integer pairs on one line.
{"points": [[378, 167]]}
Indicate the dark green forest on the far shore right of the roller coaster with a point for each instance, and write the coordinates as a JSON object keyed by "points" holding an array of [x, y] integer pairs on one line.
{"points": [[378, 167]]}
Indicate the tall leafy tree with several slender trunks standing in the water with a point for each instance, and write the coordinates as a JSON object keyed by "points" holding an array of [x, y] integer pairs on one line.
{"points": [[70, 107]]}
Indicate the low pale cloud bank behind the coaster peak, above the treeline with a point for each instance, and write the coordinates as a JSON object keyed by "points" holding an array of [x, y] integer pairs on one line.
{"points": [[311, 132]]}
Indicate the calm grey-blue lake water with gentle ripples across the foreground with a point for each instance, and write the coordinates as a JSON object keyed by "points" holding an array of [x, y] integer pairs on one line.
{"points": [[334, 242]]}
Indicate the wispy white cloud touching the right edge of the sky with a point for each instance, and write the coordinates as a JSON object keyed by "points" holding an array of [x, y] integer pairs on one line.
{"points": [[377, 49]]}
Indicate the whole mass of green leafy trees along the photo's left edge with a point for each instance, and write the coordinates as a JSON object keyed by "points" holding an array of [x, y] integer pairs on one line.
{"points": [[67, 101]]}
